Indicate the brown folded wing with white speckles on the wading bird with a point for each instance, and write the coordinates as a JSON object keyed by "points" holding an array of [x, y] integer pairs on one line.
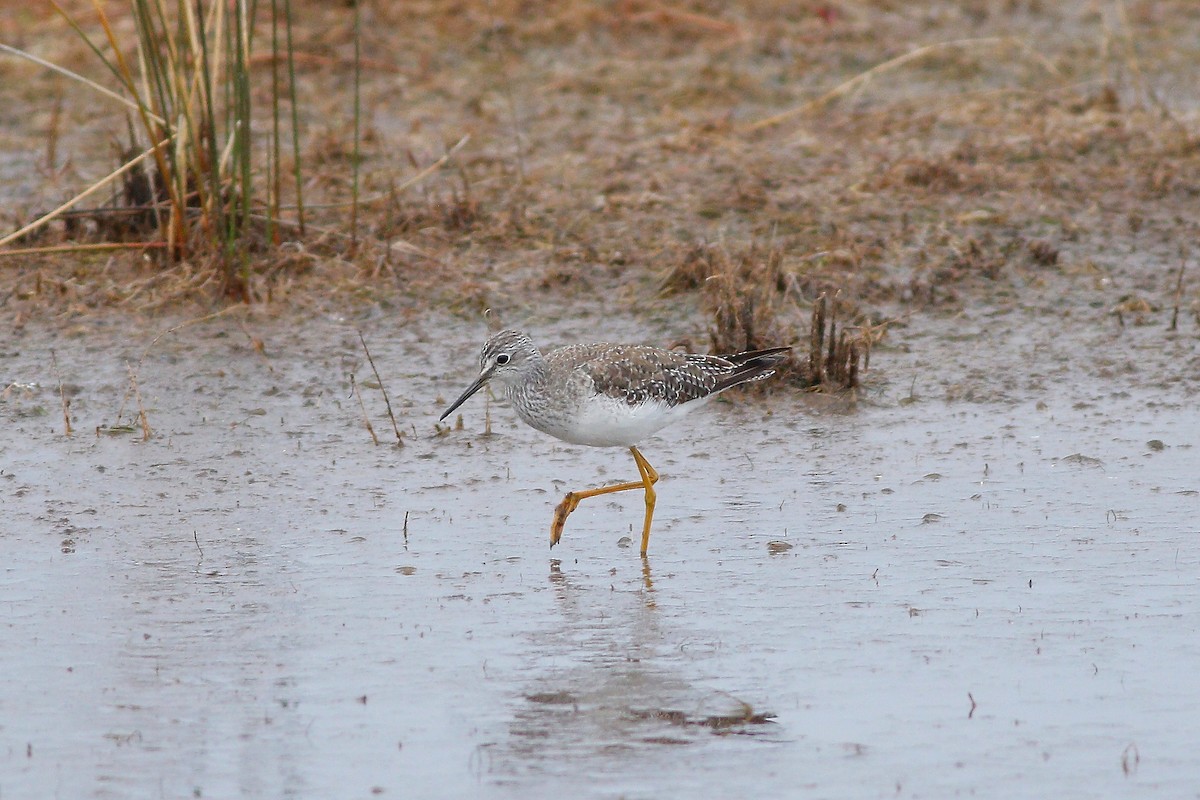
{"points": [[637, 374]]}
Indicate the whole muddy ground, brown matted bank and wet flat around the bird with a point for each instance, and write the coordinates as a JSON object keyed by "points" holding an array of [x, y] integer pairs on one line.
{"points": [[979, 574]]}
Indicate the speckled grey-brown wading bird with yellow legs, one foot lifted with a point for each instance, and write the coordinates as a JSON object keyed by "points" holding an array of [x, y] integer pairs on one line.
{"points": [[610, 396]]}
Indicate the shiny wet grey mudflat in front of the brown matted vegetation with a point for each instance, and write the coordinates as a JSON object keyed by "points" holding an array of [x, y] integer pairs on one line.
{"points": [[980, 584]]}
